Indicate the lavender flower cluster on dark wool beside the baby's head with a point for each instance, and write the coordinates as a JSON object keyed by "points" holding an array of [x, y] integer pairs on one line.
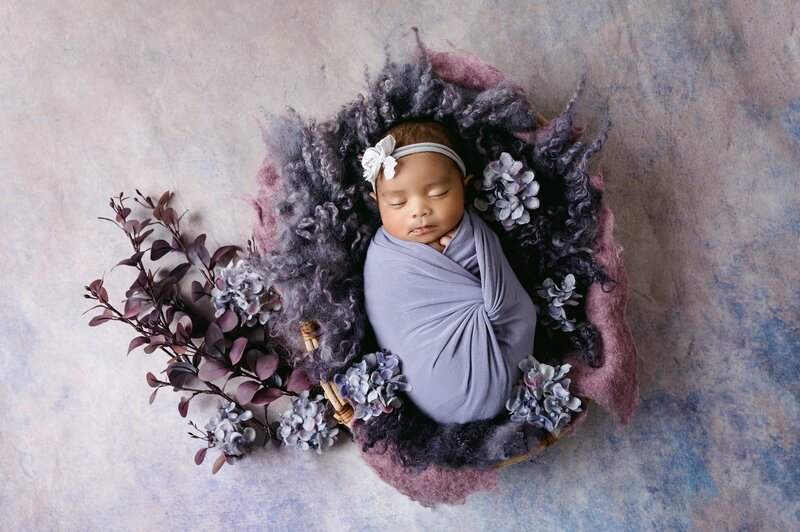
{"points": [[508, 191]]}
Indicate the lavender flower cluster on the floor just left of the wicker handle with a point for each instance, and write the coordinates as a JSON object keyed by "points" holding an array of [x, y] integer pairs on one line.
{"points": [[307, 424]]}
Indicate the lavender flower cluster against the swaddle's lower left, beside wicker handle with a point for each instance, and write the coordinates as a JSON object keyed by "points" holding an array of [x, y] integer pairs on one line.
{"points": [[371, 385]]}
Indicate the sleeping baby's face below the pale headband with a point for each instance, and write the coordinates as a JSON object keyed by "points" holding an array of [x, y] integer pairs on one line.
{"points": [[424, 200]]}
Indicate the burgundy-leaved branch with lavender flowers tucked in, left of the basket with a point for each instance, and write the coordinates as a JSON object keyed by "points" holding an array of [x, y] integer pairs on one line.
{"points": [[219, 332]]}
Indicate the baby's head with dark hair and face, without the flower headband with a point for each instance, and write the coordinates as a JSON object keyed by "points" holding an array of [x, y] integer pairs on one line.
{"points": [[424, 199]]}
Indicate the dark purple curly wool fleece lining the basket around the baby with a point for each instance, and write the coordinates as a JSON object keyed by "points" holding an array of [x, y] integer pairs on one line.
{"points": [[317, 220]]}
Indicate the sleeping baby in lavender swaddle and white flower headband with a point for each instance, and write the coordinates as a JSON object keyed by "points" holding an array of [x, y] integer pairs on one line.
{"points": [[439, 291]]}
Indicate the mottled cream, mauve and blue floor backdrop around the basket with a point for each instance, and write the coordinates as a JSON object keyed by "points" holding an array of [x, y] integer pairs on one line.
{"points": [[701, 171]]}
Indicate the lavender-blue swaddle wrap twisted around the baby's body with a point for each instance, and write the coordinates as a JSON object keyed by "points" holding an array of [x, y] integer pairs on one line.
{"points": [[460, 321]]}
